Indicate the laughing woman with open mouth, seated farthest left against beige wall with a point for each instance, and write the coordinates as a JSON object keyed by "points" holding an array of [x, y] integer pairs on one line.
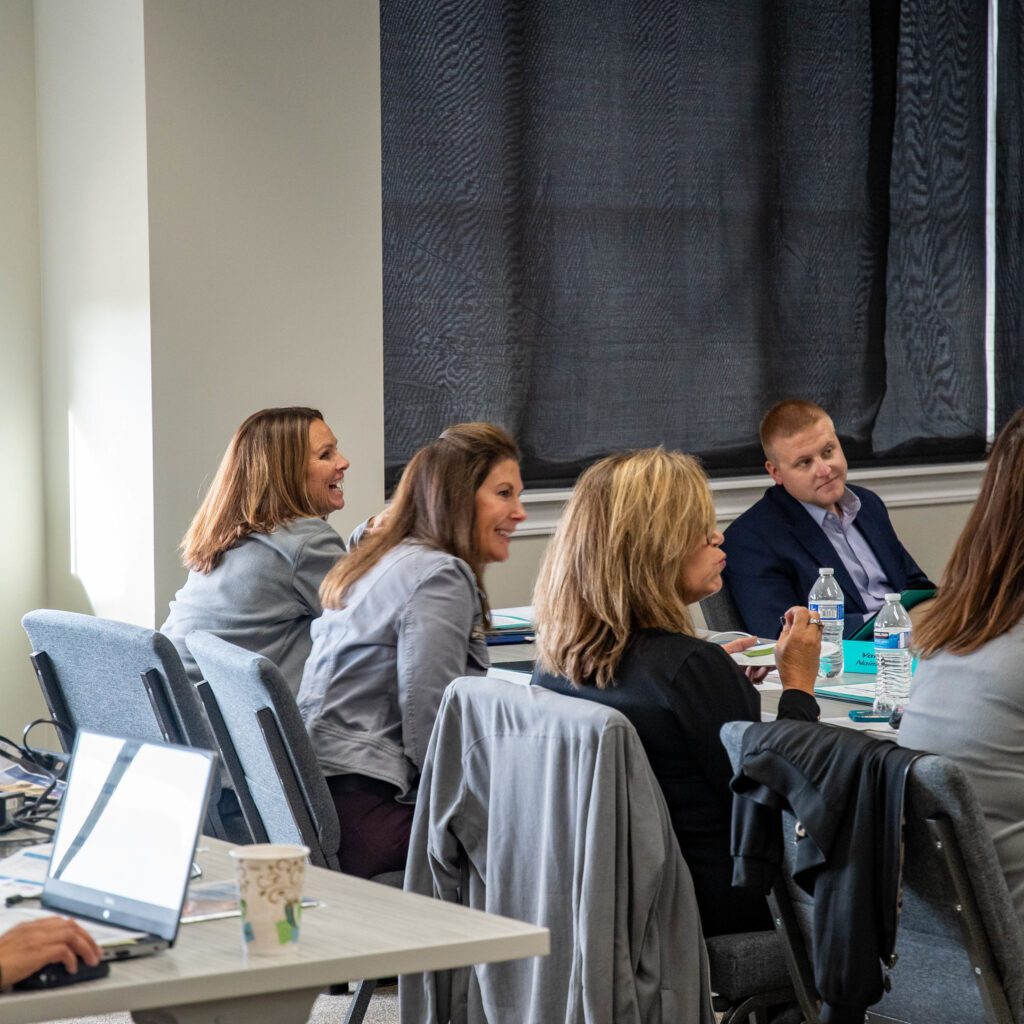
{"points": [[260, 546]]}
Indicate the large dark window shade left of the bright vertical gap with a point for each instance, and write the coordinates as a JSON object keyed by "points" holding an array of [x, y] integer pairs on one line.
{"points": [[615, 225]]}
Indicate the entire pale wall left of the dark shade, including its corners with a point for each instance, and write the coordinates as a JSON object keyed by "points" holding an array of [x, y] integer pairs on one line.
{"points": [[224, 160]]}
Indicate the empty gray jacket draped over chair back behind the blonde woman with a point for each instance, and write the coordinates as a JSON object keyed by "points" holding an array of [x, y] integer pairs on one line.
{"points": [[545, 809]]}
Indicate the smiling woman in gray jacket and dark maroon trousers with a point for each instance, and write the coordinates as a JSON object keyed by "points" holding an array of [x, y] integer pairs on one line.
{"points": [[404, 616]]}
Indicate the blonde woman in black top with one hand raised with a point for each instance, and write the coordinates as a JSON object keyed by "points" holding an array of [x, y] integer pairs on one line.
{"points": [[637, 545]]}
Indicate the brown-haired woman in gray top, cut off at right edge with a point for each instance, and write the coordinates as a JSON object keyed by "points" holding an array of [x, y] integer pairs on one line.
{"points": [[967, 697]]}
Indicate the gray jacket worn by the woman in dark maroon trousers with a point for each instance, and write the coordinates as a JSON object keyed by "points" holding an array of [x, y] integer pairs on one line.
{"points": [[378, 667]]}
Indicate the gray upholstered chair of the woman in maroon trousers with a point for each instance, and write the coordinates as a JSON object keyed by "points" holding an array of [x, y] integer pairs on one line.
{"points": [[274, 770]]}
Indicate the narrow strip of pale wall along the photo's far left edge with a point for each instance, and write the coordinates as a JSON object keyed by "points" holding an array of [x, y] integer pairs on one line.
{"points": [[21, 383]]}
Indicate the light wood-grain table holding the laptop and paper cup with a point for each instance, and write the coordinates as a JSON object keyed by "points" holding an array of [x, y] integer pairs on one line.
{"points": [[363, 930]]}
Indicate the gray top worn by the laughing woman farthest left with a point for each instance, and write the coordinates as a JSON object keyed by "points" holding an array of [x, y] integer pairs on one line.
{"points": [[263, 596]]}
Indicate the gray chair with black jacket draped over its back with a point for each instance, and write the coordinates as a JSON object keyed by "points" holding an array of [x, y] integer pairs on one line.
{"points": [[960, 945]]}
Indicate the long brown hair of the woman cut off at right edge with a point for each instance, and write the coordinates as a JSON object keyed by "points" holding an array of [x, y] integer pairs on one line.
{"points": [[982, 595]]}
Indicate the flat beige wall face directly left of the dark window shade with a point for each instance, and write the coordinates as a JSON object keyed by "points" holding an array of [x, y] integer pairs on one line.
{"points": [[264, 123]]}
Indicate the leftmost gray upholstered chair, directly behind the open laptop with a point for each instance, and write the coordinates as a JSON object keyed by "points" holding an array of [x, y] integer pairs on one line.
{"points": [[125, 681]]}
